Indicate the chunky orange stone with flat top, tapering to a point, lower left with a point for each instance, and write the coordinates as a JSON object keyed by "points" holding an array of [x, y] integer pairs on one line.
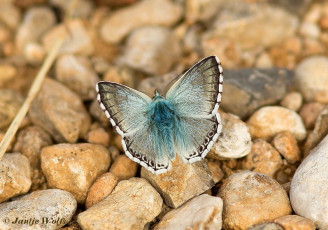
{"points": [[74, 167]]}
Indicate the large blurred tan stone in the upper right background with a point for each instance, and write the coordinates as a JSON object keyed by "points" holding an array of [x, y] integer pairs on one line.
{"points": [[234, 22]]}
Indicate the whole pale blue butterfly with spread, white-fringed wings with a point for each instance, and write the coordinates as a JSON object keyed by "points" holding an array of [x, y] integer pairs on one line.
{"points": [[184, 122]]}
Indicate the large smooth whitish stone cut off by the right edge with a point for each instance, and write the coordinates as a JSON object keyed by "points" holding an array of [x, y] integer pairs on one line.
{"points": [[309, 187]]}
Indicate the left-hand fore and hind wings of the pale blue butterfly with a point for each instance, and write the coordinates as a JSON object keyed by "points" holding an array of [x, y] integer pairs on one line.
{"points": [[127, 110]]}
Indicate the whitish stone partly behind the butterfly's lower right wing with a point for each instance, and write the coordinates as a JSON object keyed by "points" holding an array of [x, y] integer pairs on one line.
{"points": [[234, 141]]}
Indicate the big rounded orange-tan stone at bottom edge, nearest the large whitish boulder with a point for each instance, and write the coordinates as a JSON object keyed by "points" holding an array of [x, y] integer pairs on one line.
{"points": [[251, 198]]}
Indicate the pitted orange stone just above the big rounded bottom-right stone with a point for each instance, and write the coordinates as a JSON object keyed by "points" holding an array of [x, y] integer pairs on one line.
{"points": [[263, 158]]}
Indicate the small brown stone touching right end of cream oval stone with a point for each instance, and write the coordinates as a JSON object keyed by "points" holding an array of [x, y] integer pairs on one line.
{"points": [[310, 112]]}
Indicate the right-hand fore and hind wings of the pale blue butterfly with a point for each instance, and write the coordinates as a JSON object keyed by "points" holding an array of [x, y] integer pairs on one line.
{"points": [[196, 97]]}
